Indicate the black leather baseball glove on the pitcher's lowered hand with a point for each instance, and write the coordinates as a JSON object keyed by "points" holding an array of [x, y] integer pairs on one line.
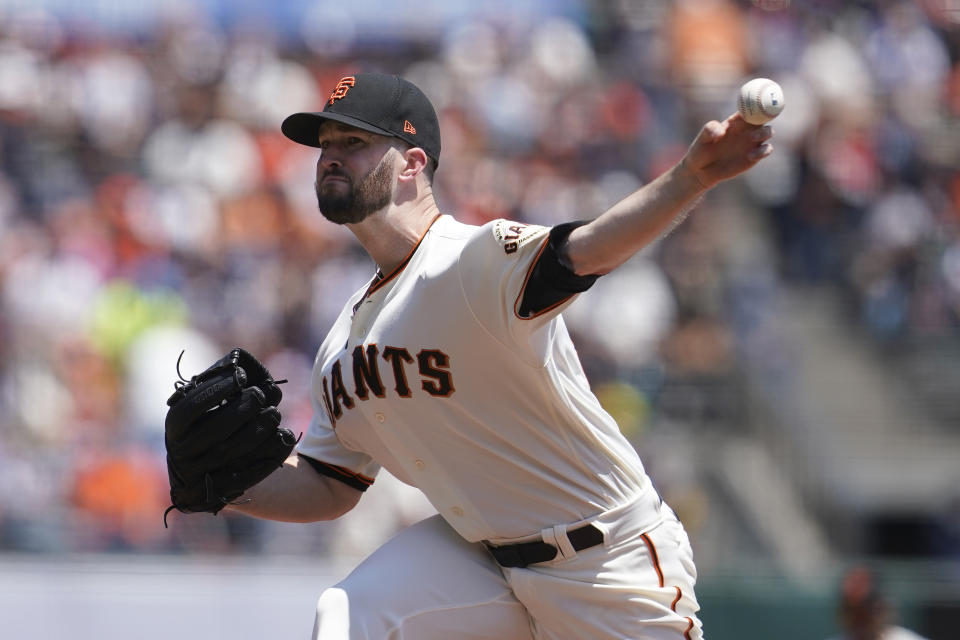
{"points": [[223, 433]]}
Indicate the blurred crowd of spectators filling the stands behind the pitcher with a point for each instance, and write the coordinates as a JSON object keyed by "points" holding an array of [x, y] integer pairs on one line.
{"points": [[149, 205]]}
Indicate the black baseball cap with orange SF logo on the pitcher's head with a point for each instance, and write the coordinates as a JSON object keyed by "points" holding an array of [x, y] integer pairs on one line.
{"points": [[375, 102]]}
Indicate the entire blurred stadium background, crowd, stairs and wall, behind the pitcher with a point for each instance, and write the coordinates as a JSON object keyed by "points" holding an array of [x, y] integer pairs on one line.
{"points": [[787, 362]]}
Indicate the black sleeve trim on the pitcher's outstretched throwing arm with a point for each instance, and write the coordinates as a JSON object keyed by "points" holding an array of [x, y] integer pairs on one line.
{"points": [[549, 282]]}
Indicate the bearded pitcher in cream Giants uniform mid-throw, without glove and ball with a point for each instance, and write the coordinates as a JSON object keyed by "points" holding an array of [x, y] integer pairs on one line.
{"points": [[453, 369]]}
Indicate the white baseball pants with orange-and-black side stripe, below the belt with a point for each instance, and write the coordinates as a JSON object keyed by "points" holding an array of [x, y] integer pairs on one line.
{"points": [[428, 583]]}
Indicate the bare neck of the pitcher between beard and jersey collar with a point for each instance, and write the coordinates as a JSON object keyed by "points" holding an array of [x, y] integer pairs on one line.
{"points": [[389, 236]]}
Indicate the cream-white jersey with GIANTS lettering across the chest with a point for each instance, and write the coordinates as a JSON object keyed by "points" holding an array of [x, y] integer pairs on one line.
{"points": [[431, 373]]}
